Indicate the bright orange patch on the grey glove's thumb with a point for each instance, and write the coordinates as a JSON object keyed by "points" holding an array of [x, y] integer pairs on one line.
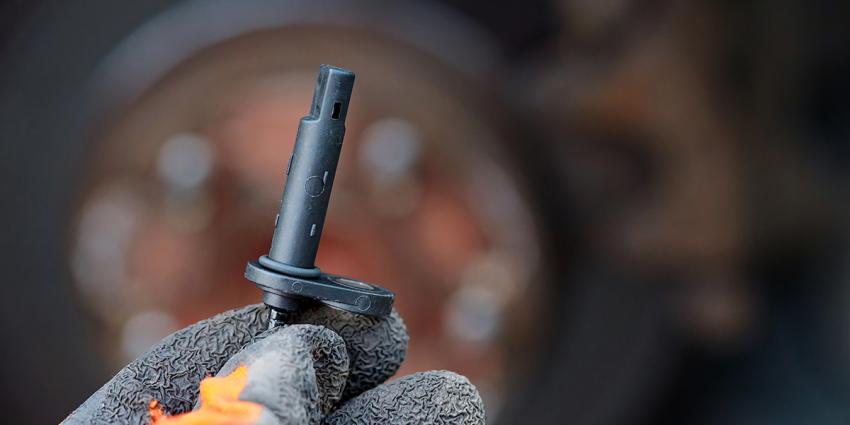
{"points": [[220, 404]]}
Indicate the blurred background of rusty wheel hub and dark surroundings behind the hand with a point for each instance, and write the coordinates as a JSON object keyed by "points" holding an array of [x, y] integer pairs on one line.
{"points": [[601, 212]]}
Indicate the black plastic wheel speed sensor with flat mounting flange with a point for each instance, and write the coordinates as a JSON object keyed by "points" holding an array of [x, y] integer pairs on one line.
{"points": [[288, 275]]}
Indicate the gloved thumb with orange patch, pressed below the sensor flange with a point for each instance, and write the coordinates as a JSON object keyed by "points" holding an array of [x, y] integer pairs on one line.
{"points": [[295, 375]]}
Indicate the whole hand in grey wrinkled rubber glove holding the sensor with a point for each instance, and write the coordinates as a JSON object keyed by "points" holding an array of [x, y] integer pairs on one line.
{"points": [[328, 366]]}
